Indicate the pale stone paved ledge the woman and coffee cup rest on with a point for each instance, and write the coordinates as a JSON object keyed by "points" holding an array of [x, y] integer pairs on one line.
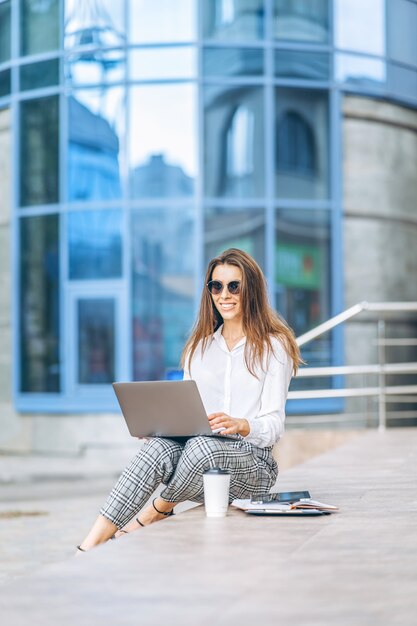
{"points": [[357, 567]]}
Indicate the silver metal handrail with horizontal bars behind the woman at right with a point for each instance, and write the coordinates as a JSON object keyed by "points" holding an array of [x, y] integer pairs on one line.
{"points": [[381, 369]]}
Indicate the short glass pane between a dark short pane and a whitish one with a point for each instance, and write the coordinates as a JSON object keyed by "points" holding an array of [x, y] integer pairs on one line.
{"points": [[102, 66]]}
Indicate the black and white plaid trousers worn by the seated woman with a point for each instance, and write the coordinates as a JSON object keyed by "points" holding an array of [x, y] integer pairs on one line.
{"points": [[180, 467]]}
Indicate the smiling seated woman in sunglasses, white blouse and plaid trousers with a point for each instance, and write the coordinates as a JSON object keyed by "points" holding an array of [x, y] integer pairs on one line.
{"points": [[242, 356]]}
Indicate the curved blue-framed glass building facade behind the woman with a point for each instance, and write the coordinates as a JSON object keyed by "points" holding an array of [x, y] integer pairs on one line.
{"points": [[149, 135]]}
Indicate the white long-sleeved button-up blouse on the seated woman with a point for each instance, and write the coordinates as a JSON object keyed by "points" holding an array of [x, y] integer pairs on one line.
{"points": [[225, 384]]}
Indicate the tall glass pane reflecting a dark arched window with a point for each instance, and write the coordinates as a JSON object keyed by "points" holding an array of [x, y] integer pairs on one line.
{"points": [[302, 144]]}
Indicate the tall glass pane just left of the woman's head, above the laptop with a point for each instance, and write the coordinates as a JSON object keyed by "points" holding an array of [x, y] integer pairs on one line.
{"points": [[162, 289]]}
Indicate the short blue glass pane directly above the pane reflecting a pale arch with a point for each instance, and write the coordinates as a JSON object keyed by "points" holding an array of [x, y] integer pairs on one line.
{"points": [[233, 61]]}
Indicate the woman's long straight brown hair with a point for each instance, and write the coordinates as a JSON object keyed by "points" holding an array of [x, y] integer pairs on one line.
{"points": [[260, 321]]}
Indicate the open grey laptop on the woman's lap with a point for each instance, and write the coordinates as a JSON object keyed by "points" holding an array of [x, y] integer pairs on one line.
{"points": [[164, 409]]}
